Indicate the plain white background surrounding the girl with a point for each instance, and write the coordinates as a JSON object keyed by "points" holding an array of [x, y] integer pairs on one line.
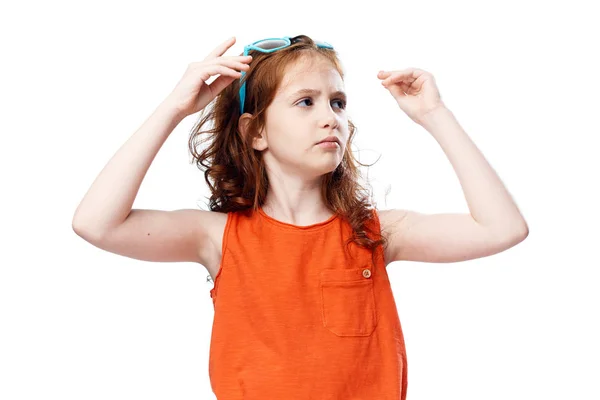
{"points": [[78, 78]]}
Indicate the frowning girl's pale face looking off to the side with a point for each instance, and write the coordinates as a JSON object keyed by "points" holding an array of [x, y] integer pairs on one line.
{"points": [[308, 107]]}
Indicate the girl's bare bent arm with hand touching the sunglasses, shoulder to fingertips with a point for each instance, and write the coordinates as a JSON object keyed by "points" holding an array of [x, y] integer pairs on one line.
{"points": [[104, 216]]}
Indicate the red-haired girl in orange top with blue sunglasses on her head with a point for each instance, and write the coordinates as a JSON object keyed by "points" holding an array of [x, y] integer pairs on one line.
{"points": [[298, 254]]}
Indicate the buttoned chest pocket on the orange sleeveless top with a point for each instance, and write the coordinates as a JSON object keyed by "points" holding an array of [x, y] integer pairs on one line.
{"points": [[348, 301]]}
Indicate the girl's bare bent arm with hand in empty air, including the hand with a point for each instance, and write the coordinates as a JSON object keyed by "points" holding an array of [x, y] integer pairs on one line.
{"points": [[494, 222]]}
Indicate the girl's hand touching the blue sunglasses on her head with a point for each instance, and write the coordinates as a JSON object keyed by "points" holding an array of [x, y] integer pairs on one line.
{"points": [[192, 93]]}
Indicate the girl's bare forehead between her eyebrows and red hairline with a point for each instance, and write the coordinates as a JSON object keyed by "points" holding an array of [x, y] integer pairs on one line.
{"points": [[308, 72]]}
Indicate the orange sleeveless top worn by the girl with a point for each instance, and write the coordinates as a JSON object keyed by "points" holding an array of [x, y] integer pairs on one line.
{"points": [[298, 317]]}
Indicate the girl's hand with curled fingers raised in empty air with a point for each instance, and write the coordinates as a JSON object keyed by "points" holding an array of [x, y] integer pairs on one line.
{"points": [[414, 90]]}
